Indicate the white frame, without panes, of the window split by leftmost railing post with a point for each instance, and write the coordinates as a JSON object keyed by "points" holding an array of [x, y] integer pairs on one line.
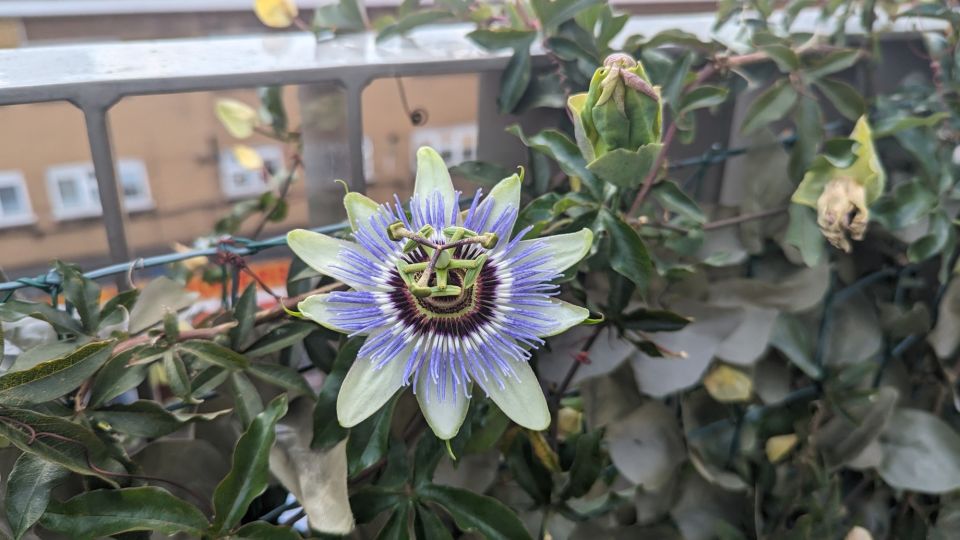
{"points": [[82, 174]]}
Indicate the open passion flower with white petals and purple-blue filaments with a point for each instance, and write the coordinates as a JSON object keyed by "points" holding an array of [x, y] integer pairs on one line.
{"points": [[448, 300]]}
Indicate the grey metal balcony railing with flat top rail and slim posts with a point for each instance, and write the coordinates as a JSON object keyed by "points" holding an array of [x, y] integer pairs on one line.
{"points": [[94, 77]]}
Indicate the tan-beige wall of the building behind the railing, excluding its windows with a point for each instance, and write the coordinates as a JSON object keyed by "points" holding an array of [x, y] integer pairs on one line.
{"points": [[178, 139]]}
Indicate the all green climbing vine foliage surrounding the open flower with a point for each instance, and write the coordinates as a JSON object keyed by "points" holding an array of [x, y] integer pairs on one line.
{"points": [[746, 380]]}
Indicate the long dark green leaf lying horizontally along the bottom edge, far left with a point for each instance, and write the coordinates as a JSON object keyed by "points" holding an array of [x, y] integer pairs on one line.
{"points": [[107, 512]]}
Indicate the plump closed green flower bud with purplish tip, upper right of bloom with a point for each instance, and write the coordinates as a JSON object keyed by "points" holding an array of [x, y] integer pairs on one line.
{"points": [[620, 110]]}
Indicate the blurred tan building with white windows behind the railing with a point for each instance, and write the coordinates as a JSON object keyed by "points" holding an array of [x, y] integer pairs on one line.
{"points": [[174, 159]]}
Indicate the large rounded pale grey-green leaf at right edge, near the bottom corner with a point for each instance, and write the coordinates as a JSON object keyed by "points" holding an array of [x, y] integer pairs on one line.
{"points": [[921, 453]]}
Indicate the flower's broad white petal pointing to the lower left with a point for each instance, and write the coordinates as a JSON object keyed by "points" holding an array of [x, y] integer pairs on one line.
{"points": [[365, 388]]}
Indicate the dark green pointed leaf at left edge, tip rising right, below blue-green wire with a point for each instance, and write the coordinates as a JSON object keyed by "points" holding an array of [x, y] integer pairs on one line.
{"points": [[54, 378]]}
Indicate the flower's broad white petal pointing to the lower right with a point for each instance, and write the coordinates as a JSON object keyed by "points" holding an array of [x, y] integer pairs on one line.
{"points": [[521, 398]]}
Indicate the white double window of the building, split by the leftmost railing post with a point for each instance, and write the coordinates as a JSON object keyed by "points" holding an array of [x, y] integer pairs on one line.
{"points": [[74, 192]]}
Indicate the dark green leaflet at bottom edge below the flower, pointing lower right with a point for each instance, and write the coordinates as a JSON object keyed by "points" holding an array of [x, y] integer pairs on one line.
{"points": [[476, 513]]}
